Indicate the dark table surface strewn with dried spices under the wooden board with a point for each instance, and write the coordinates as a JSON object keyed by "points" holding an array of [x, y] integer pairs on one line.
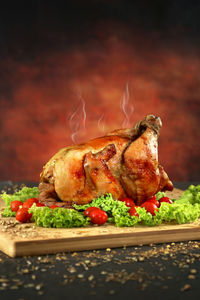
{"points": [[163, 271]]}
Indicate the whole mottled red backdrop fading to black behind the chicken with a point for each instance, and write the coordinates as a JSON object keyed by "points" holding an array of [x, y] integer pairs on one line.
{"points": [[54, 54]]}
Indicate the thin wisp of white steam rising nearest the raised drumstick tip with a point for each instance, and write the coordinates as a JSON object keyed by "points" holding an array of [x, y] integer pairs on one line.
{"points": [[126, 107]]}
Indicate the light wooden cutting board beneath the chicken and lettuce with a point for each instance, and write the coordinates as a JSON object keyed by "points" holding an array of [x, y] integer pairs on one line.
{"points": [[26, 239]]}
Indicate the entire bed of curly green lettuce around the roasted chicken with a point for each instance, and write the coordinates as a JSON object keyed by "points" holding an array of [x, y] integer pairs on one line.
{"points": [[186, 209]]}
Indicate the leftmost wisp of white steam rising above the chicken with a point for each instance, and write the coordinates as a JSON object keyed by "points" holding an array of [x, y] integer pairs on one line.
{"points": [[77, 120]]}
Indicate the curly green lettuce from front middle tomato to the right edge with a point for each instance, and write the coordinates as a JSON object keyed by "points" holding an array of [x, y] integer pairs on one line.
{"points": [[177, 212]]}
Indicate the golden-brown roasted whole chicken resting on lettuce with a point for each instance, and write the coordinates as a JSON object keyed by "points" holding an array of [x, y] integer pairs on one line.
{"points": [[123, 162]]}
